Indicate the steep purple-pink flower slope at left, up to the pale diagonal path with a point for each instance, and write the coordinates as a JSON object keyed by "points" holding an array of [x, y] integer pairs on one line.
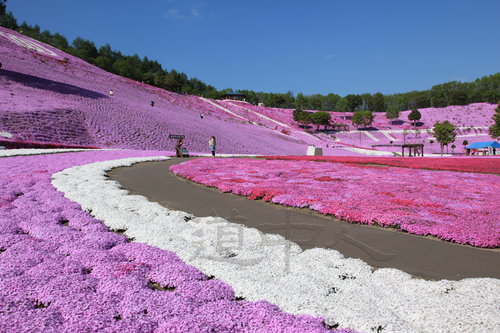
{"points": [[49, 96]]}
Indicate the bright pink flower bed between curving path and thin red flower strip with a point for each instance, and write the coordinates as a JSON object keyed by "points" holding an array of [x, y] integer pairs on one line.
{"points": [[458, 207]]}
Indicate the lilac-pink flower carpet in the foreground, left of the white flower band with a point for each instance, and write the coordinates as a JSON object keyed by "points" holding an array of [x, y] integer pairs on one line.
{"points": [[61, 270]]}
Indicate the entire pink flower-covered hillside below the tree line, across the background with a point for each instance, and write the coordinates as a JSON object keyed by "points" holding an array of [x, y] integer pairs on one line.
{"points": [[51, 97]]}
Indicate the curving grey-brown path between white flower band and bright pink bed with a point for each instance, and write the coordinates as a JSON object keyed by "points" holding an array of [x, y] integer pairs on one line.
{"points": [[379, 247]]}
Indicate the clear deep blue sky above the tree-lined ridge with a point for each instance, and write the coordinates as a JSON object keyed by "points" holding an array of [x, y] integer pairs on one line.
{"points": [[347, 46]]}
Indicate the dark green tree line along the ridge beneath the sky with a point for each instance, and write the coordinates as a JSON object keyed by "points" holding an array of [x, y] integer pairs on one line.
{"points": [[485, 89]]}
